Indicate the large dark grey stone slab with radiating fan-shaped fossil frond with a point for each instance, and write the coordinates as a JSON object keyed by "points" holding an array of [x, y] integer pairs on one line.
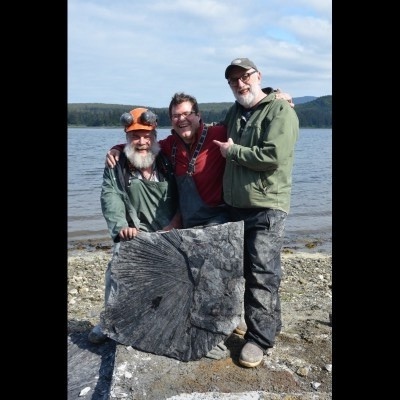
{"points": [[178, 293]]}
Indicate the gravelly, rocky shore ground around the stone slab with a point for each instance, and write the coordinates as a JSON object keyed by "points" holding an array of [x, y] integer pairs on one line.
{"points": [[299, 367]]}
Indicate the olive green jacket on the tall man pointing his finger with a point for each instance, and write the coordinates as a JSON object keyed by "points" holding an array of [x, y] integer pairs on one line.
{"points": [[258, 171]]}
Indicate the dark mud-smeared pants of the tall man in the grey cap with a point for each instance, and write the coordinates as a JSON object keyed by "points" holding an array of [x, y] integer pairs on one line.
{"points": [[263, 241]]}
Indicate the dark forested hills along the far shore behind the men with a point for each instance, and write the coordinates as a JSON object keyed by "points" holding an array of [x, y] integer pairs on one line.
{"points": [[313, 114]]}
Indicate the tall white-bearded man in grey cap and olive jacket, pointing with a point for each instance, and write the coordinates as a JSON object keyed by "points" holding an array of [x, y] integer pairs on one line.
{"points": [[257, 181]]}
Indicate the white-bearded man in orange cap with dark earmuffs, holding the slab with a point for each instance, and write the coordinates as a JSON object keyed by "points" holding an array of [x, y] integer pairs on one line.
{"points": [[139, 193]]}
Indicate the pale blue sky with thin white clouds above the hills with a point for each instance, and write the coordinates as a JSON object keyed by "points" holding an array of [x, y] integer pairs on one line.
{"points": [[139, 53]]}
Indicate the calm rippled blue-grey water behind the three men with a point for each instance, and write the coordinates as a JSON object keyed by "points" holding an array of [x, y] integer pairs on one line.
{"points": [[310, 217]]}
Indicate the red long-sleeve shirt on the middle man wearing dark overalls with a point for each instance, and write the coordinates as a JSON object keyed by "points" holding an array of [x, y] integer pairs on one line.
{"points": [[209, 166]]}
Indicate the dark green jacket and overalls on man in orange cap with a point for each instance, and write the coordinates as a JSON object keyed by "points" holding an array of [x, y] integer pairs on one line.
{"points": [[146, 205]]}
